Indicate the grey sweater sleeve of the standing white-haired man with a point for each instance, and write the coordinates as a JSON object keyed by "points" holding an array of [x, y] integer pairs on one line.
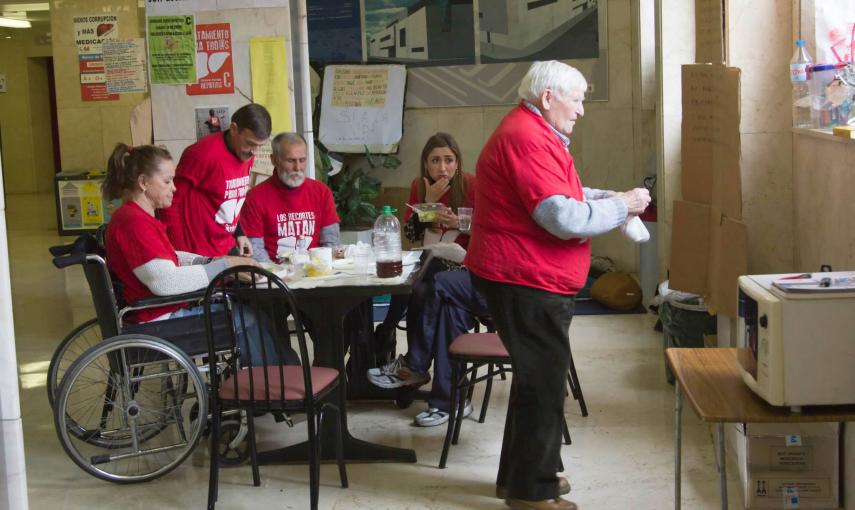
{"points": [[567, 218]]}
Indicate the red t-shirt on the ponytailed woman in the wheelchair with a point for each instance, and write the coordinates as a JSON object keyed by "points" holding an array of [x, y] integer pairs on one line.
{"points": [[134, 237]]}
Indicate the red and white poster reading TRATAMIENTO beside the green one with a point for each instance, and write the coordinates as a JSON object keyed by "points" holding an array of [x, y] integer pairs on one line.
{"points": [[214, 69]]}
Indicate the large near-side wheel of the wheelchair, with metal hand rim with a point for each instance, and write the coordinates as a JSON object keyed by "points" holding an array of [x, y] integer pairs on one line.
{"points": [[123, 409]]}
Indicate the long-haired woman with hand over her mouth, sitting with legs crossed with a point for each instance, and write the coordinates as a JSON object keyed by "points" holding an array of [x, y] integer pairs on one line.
{"points": [[443, 303]]}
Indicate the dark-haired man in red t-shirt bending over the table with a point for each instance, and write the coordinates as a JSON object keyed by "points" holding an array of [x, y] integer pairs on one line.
{"points": [[211, 183]]}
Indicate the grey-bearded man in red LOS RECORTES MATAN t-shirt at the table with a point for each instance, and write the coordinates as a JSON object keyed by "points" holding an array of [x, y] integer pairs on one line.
{"points": [[289, 211]]}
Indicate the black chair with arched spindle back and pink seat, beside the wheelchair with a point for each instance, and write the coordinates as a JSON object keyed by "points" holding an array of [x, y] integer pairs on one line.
{"points": [[258, 382]]}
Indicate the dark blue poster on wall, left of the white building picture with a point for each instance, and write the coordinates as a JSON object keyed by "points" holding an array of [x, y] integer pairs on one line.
{"points": [[335, 35]]}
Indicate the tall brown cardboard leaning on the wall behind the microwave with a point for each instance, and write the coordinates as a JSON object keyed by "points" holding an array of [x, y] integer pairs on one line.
{"points": [[709, 246]]}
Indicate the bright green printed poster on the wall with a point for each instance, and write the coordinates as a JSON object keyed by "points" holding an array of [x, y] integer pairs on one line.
{"points": [[172, 49]]}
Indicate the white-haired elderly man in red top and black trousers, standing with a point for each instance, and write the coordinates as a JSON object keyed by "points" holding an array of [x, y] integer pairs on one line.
{"points": [[529, 255]]}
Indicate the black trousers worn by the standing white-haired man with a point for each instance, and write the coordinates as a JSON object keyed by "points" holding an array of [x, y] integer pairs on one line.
{"points": [[533, 324]]}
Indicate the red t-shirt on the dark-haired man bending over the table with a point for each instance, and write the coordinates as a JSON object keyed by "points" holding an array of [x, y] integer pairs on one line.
{"points": [[210, 188]]}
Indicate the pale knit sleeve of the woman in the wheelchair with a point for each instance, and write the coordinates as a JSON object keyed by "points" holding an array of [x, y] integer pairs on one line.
{"points": [[164, 278]]}
